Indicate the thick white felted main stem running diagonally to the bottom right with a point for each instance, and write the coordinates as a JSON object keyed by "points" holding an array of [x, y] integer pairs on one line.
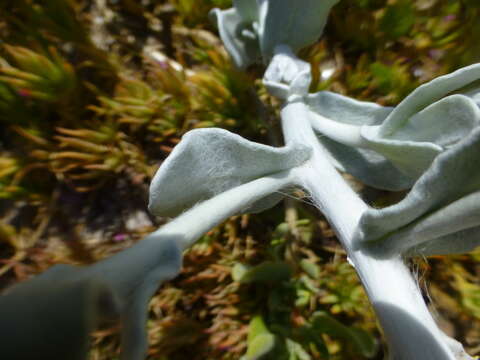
{"points": [[407, 324]]}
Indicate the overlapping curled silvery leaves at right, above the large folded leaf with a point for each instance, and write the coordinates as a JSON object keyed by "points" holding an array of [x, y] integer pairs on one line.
{"points": [[411, 135]]}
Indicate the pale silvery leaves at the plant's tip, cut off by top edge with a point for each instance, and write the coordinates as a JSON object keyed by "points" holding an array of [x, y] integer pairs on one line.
{"points": [[269, 23]]}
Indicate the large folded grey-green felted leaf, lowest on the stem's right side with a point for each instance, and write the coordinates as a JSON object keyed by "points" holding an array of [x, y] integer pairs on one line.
{"points": [[441, 204]]}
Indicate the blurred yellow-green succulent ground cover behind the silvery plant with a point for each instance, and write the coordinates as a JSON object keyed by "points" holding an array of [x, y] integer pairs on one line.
{"points": [[94, 94]]}
